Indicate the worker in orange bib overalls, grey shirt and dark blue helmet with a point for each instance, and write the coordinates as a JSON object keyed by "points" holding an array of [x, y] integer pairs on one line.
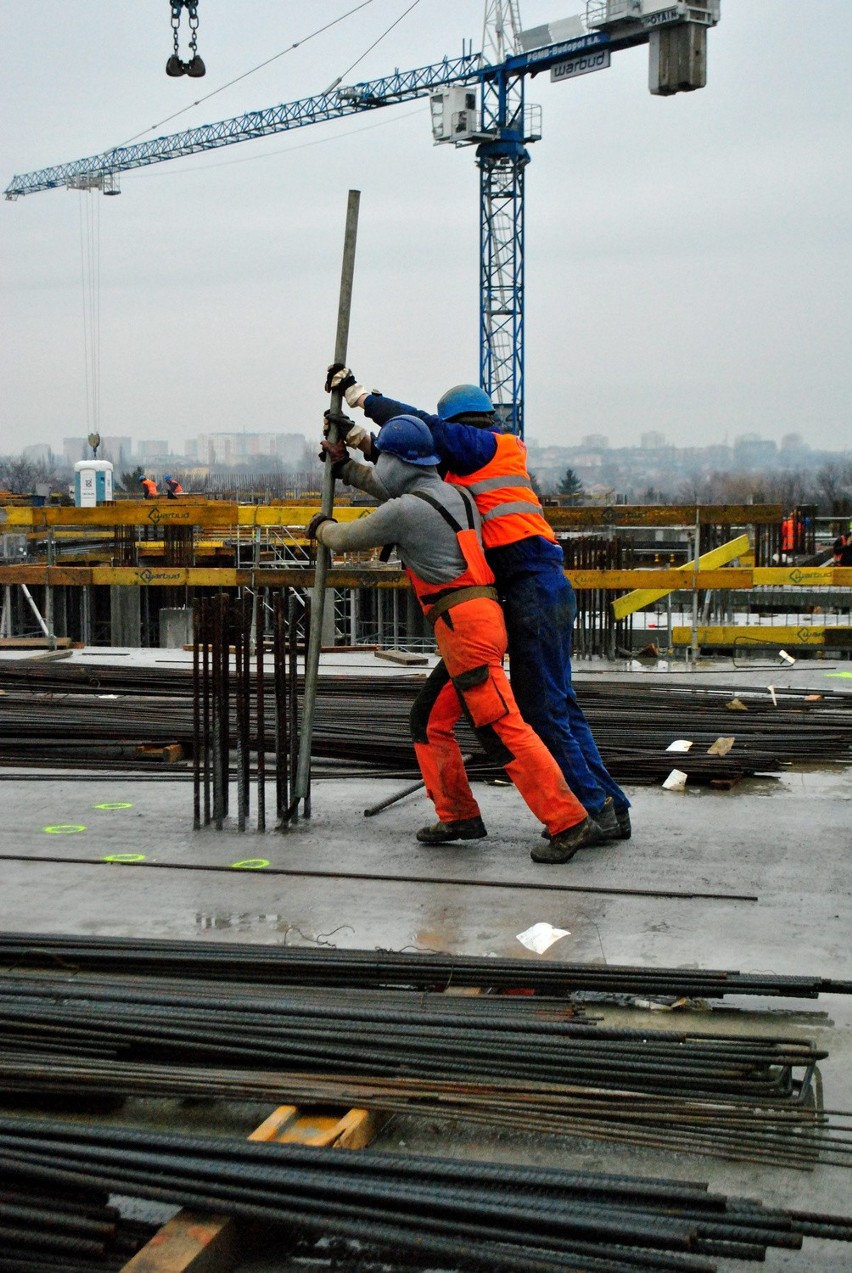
{"points": [[437, 531]]}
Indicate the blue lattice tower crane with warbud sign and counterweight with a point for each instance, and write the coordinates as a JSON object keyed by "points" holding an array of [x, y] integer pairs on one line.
{"points": [[477, 100]]}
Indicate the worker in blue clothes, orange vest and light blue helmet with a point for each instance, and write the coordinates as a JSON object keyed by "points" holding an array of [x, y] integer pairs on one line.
{"points": [[523, 552]]}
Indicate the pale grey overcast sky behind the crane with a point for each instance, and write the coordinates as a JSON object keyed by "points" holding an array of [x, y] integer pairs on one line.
{"points": [[688, 259]]}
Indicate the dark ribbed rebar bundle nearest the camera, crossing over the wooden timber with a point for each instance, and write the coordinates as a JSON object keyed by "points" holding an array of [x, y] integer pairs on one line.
{"points": [[445, 1214]]}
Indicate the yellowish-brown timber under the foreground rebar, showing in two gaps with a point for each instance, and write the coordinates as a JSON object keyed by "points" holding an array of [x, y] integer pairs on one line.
{"points": [[192, 1243]]}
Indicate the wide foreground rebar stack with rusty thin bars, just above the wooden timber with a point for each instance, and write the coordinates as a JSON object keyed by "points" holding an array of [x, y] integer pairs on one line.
{"points": [[496, 1060]]}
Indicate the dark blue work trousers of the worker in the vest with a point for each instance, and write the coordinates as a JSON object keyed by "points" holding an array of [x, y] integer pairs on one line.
{"points": [[541, 609]]}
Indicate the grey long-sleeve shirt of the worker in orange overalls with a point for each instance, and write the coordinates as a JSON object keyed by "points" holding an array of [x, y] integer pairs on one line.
{"points": [[426, 543]]}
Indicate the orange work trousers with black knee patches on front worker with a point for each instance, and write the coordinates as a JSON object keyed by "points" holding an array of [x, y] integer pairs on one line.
{"points": [[471, 680]]}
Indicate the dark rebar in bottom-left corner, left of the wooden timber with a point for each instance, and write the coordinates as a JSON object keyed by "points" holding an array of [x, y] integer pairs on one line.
{"points": [[55, 1228]]}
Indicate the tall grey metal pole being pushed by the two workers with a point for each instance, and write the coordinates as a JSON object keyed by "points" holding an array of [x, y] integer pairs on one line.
{"points": [[302, 785]]}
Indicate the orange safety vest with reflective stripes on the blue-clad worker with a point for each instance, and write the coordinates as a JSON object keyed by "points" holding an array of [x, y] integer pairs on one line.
{"points": [[504, 492]]}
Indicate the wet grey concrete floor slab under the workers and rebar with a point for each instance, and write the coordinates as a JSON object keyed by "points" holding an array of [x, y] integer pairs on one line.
{"points": [[788, 841]]}
